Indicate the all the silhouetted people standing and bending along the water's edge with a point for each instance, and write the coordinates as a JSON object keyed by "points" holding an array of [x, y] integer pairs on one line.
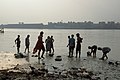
{"points": [[71, 44]]}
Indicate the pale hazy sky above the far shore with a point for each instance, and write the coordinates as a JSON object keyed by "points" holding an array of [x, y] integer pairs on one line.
{"points": [[43, 11]]}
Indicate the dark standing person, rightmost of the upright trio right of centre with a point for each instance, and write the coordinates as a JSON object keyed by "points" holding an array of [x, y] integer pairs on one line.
{"points": [[78, 46]]}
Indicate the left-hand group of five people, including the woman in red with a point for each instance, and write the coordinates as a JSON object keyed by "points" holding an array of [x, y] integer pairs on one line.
{"points": [[39, 45]]}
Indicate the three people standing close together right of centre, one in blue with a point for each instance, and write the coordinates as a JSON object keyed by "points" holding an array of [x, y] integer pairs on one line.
{"points": [[71, 45]]}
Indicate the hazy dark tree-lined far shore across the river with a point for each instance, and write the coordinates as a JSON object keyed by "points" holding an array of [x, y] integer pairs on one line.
{"points": [[69, 25]]}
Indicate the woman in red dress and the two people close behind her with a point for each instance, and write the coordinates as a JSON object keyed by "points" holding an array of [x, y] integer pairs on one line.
{"points": [[40, 46]]}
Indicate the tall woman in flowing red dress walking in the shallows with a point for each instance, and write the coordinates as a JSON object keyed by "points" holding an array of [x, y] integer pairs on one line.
{"points": [[39, 45]]}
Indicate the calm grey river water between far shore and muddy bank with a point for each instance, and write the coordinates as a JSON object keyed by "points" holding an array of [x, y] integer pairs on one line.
{"points": [[102, 38]]}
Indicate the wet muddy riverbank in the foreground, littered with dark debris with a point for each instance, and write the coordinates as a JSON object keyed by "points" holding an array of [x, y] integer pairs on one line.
{"points": [[68, 69]]}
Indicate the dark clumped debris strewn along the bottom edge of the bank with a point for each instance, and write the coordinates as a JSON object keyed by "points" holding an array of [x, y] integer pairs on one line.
{"points": [[42, 73]]}
